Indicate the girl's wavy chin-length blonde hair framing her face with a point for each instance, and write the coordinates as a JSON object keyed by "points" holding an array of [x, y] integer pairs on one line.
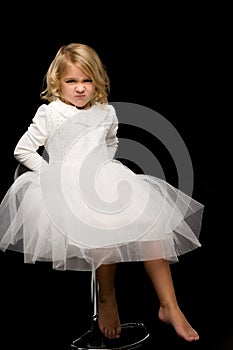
{"points": [[87, 60]]}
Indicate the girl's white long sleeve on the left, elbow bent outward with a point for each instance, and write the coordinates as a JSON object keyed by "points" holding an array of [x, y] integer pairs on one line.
{"points": [[36, 135]]}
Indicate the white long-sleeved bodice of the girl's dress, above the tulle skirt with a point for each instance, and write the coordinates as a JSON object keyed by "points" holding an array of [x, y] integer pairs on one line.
{"points": [[68, 134]]}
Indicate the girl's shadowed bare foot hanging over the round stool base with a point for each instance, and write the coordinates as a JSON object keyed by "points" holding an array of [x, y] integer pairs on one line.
{"points": [[108, 318]]}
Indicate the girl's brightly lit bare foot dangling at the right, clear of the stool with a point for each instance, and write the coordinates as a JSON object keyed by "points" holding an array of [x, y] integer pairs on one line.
{"points": [[175, 317]]}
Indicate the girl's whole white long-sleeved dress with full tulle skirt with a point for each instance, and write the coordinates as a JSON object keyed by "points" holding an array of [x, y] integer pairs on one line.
{"points": [[83, 208]]}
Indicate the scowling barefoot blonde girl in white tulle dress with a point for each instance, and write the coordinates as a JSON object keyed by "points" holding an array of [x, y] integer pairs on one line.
{"points": [[82, 209]]}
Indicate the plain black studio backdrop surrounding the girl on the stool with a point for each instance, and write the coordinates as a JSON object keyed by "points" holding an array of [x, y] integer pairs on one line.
{"points": [[172, 61]]}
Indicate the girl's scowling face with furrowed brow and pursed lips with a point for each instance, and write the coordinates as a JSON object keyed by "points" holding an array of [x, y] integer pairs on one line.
{"points": [[76, 87]]}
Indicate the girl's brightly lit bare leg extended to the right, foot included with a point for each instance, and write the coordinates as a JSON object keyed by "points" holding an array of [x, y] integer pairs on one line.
{"points": [[169, 311]]}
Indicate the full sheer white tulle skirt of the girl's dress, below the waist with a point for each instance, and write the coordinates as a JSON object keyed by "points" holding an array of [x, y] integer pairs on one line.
{"points": [[79, 219]]}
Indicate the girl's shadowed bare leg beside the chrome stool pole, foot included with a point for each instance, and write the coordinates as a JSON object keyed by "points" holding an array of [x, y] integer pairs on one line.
{"points": [[108, 317]]}
